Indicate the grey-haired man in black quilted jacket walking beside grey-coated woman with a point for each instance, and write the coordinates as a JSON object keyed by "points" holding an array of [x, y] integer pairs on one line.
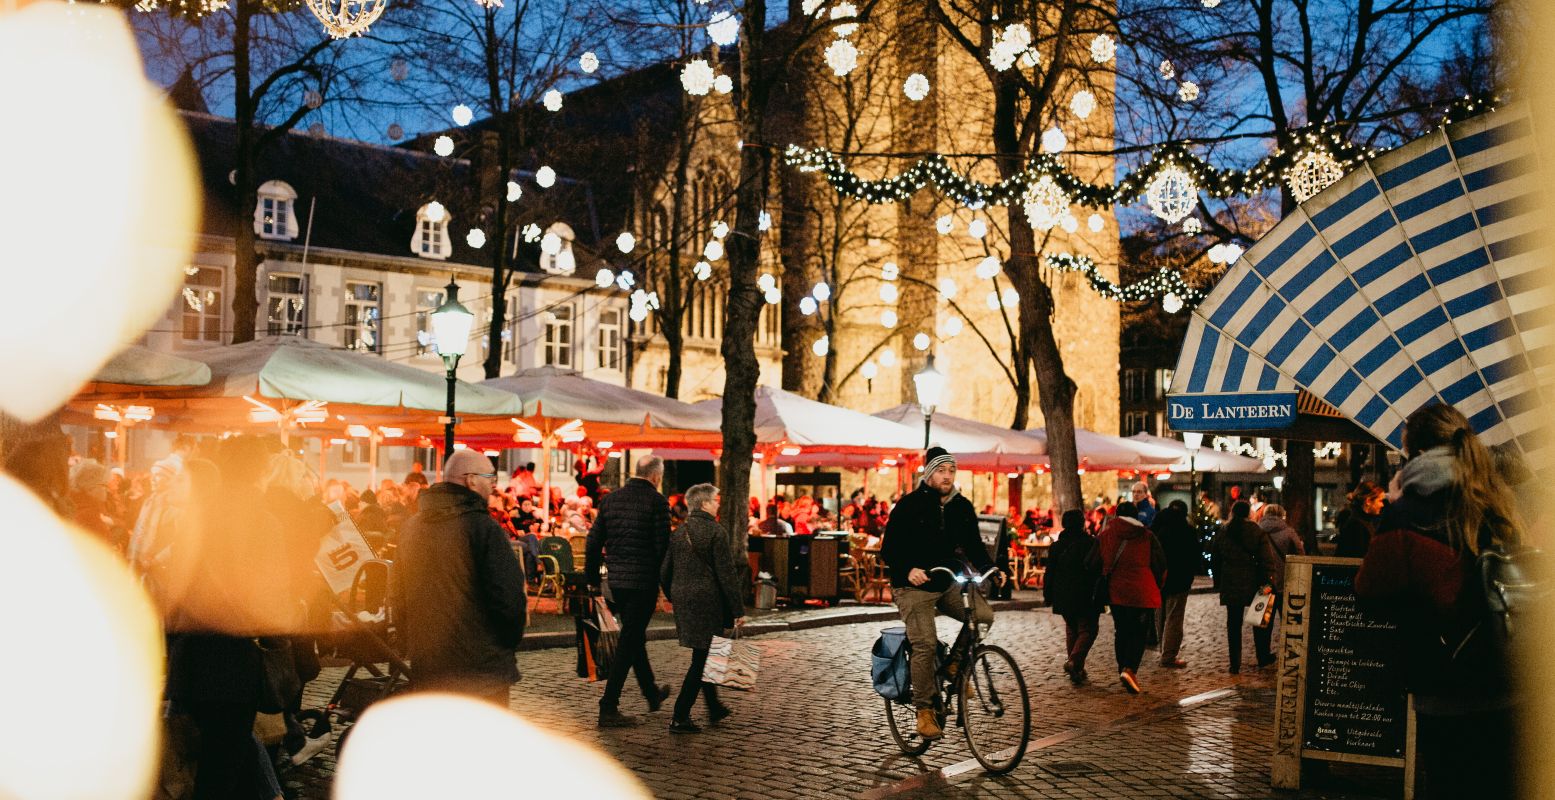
{"points": [[631, 538]]}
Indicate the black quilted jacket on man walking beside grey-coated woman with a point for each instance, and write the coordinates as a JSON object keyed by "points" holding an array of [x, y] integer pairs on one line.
{"points": [[631, 538]]}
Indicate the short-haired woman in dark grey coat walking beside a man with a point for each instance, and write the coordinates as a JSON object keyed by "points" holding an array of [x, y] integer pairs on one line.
{"points": [[701, 580]]}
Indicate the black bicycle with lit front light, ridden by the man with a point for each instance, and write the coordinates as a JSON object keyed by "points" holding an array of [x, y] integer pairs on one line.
{"points": [[984, 690]]}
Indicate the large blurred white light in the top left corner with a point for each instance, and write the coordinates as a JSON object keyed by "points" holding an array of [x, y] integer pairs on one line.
{"points": [[138, 191]]}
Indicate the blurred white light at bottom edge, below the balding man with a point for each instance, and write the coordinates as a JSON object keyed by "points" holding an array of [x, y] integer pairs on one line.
{"points": [[450, 746]]}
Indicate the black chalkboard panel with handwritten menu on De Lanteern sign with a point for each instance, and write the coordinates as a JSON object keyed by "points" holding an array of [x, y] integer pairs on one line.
{"points": [[1352, 707]]}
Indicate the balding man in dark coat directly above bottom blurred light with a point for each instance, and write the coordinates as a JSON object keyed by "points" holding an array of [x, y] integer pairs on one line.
{"points": [[460, 588]]}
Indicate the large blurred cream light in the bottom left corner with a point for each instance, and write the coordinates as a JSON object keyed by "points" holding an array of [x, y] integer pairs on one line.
{"points": [[71, 598]]}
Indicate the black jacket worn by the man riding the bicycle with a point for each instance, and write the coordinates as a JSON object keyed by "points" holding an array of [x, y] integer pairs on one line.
{"points": [[926, 533]]}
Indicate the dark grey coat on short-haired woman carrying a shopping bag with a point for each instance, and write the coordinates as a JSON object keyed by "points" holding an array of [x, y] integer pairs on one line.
{"points": [[701, 580]]}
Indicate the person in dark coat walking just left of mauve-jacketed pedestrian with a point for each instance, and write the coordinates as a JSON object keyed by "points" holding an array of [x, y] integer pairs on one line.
{"points": [[1245, 561]]}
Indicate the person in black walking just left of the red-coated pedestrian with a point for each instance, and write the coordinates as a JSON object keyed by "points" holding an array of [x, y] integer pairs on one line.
{"points": [[1069, 586]]}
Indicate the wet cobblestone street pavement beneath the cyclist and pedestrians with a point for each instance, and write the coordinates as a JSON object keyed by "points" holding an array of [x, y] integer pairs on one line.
{"points": [[816, 728]]}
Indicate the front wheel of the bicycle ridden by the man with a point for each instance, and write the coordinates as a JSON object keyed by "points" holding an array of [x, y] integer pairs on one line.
{"points": [[996, 712]]}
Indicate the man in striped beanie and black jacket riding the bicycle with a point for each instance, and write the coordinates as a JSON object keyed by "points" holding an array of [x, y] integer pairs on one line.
{"points": [[932, 527]]}
